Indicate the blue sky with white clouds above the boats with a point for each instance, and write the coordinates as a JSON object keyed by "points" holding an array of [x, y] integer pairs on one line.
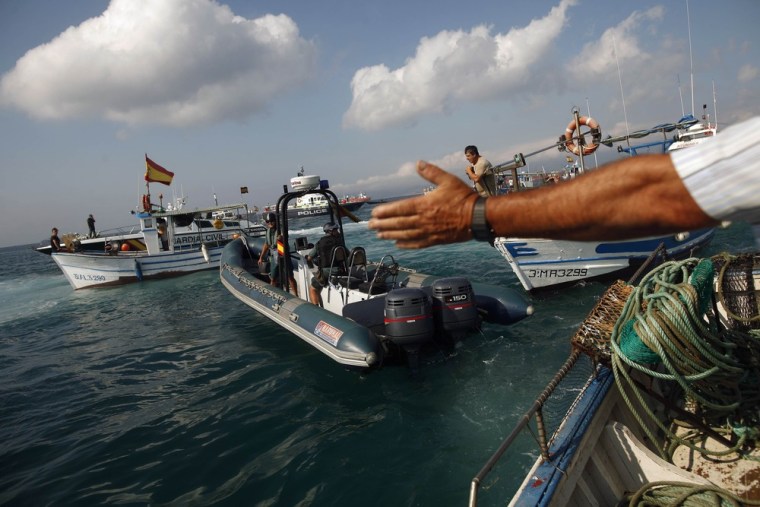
{"points": [[245, 93]]}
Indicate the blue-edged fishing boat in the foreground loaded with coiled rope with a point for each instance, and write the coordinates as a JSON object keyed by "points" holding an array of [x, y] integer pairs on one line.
{"points": [[645, 412]]}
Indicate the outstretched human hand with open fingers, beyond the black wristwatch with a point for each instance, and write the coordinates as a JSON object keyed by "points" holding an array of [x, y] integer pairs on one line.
{"points": [[438, 217]]}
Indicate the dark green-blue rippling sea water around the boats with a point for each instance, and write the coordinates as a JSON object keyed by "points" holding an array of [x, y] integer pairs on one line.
{"points": [[172, 392]]}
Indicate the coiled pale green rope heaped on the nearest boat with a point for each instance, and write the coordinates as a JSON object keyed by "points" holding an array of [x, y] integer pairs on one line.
{"points": [[664, 334]]}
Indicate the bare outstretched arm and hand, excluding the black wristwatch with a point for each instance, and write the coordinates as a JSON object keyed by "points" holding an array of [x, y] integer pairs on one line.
{"points": [[634, 197]]}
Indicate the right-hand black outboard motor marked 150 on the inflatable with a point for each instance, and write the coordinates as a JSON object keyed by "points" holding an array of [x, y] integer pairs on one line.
{"points": [[454, 308]]}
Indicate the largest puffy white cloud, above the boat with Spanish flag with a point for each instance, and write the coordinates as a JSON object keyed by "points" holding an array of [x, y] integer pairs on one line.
{"points": [[174, 62]]}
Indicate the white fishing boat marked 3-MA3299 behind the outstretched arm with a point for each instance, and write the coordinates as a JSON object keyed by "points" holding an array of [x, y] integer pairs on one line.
{"points": [[541, 263]]}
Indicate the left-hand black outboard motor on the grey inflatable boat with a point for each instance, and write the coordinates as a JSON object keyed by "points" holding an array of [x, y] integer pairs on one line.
{"points": [[409, 321]]}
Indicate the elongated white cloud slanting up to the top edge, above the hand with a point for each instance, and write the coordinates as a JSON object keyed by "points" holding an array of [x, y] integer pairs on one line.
{"points": [[449, 68]]}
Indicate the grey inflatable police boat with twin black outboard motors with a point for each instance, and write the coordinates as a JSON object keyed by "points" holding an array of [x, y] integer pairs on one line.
{"points": [[370, 312]]}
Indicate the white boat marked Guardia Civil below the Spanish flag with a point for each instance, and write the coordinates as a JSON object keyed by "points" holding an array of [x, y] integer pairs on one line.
{"points": [[168, 243]]}
